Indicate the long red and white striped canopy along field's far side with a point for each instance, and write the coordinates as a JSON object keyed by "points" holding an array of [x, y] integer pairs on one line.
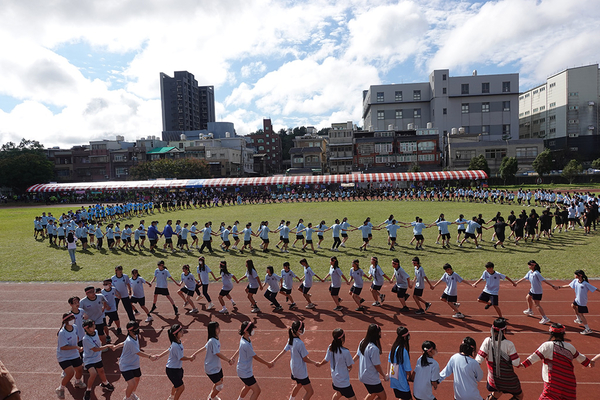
{"points": [[260, 181]]}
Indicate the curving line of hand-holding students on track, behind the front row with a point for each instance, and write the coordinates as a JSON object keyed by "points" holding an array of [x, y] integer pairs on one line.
{"points": [[89, 314]]}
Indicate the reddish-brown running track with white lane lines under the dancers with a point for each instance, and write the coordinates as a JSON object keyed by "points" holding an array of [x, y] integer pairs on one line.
{"points": [[31, 312]]}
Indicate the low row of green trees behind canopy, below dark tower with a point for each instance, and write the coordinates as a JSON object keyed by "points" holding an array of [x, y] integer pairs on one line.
{"points": [[180, 168]]}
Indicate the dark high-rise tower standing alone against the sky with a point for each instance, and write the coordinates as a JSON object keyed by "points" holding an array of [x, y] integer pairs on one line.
{"points": [[185, 105]]}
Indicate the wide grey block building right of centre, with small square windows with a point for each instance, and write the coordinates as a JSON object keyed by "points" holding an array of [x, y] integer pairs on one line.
{"points": [[479, 104]]}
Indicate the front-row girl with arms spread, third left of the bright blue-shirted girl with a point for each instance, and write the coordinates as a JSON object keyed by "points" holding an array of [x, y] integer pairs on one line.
{"points": [[298, 360]]}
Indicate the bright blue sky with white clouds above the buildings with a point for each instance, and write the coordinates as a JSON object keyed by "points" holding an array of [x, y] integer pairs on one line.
{"points": [[90, 70]]}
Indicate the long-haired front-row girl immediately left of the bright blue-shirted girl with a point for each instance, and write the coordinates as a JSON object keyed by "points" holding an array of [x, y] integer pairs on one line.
{"points": [[368, 354]]}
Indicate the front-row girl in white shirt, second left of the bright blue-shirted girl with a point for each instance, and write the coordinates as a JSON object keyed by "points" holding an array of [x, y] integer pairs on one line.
{"points": [[340, 363]]}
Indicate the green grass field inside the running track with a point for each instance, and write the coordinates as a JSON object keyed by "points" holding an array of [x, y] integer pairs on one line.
{"points": [[26, 259]]}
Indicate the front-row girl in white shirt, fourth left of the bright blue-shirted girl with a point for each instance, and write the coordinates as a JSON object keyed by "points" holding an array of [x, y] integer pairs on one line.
{"points": [[246, 355]]}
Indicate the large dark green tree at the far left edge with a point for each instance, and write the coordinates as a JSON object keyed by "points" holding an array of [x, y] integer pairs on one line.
{"points": [[24, 165]]}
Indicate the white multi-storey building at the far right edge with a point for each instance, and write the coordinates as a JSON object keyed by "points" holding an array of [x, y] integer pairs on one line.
{"points": [[564, 111]]}
